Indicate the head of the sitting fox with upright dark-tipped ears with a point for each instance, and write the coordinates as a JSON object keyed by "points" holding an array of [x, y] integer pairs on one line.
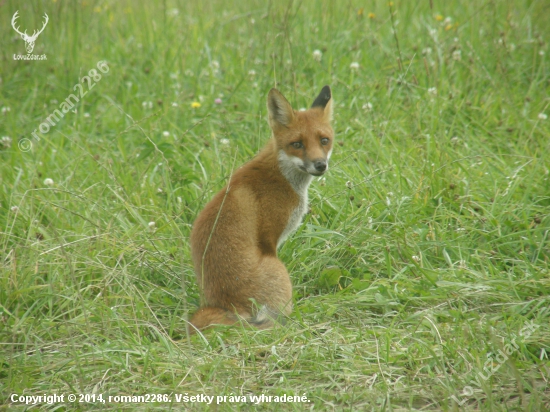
{"points": [[303, 138]]}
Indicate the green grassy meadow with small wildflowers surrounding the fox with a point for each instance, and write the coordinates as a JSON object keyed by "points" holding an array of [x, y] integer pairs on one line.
{"points": [[426, 250]]}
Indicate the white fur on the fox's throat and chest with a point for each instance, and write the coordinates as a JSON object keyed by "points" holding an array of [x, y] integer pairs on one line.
{"points": [[299, 180]]}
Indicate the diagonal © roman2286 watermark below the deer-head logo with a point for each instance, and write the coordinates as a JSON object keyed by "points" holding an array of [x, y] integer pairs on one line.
{"points": [[66, 105]]}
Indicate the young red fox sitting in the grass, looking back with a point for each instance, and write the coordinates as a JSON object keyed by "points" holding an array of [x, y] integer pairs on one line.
{"points": [[234, 240]]}
